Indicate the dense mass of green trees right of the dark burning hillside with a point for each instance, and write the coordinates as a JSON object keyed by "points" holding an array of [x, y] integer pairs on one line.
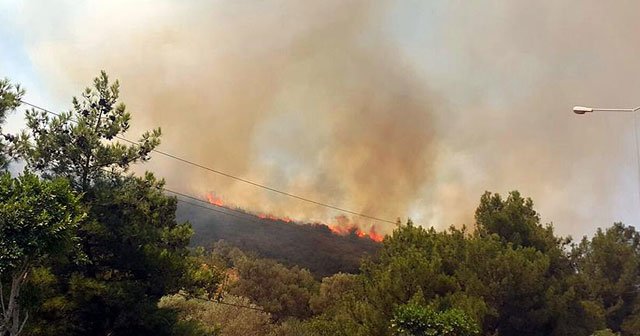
{"points": [[510, 276]]}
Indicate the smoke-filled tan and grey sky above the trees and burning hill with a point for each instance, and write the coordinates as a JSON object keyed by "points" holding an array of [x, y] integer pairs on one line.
{"points": [[395, 108]]}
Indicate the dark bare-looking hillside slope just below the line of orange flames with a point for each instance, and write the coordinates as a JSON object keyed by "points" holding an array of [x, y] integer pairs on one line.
{"points": [[311, 246]]}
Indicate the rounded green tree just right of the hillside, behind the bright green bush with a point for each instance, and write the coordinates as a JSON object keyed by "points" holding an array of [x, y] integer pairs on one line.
{"points": [[414, 264]]}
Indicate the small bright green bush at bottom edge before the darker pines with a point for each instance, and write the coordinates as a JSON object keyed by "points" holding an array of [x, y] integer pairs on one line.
{"points": [[414, 320]]}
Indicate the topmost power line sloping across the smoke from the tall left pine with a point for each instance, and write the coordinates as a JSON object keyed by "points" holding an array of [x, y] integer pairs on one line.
{"points": [[237, 178]]}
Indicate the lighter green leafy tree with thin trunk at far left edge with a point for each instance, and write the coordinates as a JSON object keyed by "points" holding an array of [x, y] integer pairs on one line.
{"points": [[38, 221]]}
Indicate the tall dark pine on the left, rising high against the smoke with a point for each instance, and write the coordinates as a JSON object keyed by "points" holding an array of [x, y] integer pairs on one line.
{"points": [[136, 251]]}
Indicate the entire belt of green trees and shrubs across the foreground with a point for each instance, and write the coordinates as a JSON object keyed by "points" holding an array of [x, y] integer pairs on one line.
{"points": [[89, 248]]}
